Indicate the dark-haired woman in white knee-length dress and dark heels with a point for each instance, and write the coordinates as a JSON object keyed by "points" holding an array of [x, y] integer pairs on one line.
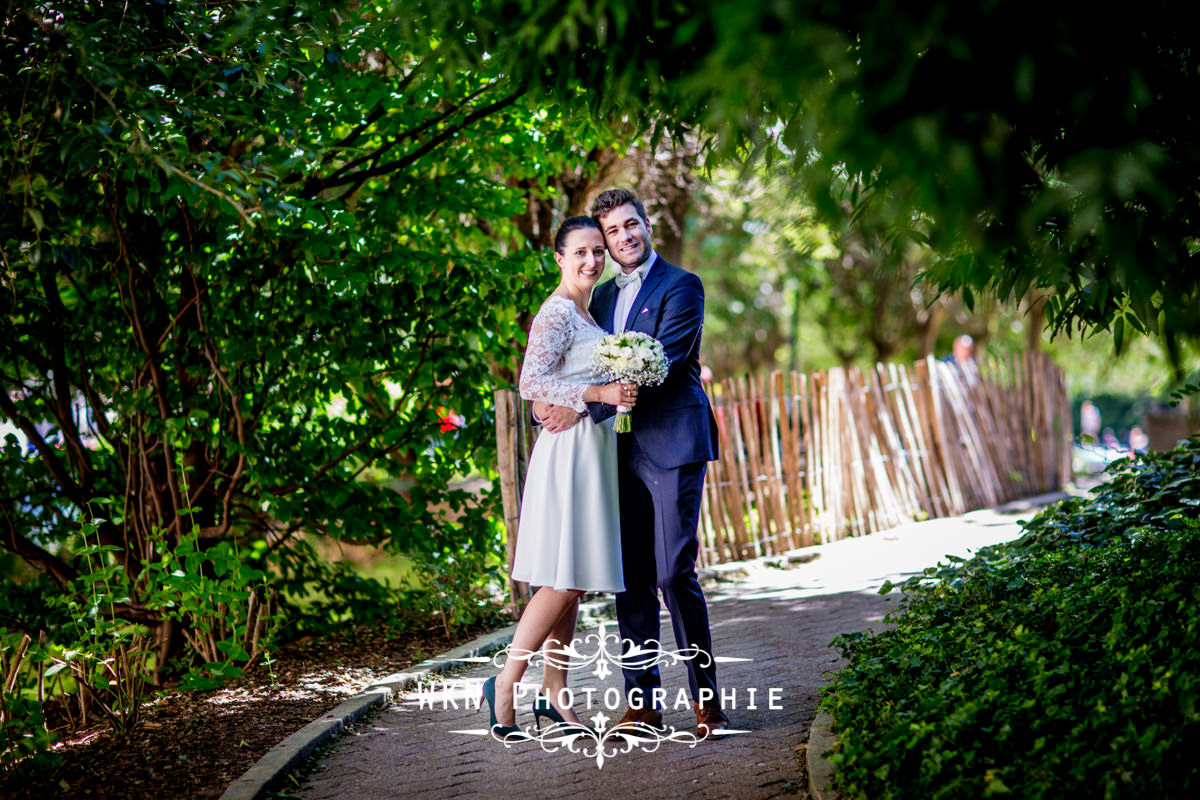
{"points": [[569, 537]]}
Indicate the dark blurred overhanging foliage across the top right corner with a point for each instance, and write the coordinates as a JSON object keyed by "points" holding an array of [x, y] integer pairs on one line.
{"points": [[1027, 151]]}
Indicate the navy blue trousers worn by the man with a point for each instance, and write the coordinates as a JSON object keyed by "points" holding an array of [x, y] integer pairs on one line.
{"points": [[659, 515]]}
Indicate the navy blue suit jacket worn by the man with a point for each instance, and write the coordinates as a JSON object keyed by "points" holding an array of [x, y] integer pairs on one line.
{"points": [[673, 423]]}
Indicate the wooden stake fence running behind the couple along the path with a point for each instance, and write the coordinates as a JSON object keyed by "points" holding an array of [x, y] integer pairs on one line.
{"points": [[811, 459]]}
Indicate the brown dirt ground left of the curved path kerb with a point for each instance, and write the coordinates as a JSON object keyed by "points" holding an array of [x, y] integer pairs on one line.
{"points": [[195, 744]]}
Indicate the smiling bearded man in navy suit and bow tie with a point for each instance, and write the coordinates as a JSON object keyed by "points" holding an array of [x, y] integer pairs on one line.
{"points": [[662, 464]]}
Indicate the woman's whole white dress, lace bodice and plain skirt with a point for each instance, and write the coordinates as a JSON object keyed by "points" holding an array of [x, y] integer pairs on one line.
{"points": [[569, 537]]}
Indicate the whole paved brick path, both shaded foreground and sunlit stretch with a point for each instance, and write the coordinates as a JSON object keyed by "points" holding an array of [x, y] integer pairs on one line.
{"points": [[779, 621]]}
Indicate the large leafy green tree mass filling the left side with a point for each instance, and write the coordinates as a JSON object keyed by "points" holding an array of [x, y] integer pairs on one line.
{"points": [[254, 255]]}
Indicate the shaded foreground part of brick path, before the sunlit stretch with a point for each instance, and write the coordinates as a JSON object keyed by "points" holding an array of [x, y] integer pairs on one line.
{"points": [[781, 651]]}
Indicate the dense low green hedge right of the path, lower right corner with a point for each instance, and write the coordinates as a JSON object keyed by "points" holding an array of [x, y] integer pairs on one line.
{"points": [[1063, 665]]}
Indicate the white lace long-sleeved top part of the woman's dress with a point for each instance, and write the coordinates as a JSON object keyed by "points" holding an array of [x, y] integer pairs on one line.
{"points": [[557, 365]]}
